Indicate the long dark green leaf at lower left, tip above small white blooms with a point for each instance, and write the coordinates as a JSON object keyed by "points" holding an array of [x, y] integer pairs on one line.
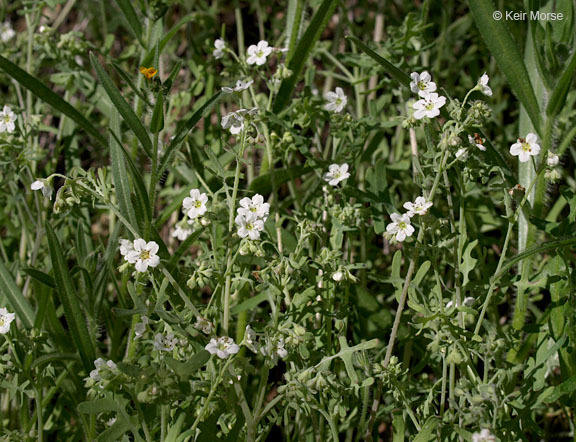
{"points": [[69, 298]]}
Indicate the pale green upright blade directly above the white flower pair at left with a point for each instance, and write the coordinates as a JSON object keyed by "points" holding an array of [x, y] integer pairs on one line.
{"points": [[120, 173]]}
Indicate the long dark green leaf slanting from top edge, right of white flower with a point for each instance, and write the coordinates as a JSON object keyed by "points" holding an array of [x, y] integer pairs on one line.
{"points": [[305, 45]]}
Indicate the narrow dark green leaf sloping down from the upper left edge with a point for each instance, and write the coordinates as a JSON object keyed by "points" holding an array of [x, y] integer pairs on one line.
{"points": [[46, 94]]}
